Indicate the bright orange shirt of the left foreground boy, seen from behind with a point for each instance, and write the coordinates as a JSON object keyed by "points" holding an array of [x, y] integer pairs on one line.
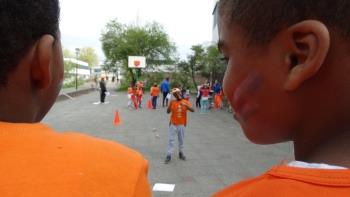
{"points": [[37, 161]]}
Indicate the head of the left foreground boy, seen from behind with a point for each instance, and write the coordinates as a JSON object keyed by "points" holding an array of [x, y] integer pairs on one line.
{"points": [[31, 65]]}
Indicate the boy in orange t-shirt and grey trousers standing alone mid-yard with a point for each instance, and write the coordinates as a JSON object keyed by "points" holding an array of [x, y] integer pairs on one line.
{"points": [[178, 121]]}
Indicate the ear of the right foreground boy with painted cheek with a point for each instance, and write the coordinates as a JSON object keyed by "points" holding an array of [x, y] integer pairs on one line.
{"points": [[310, 42]]}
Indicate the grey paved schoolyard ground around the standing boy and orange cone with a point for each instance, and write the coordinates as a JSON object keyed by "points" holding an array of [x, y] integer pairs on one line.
{"points": [[217, 152]]}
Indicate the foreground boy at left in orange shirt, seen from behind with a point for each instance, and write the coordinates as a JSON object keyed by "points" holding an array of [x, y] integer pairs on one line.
{"points": [[35, 159]]}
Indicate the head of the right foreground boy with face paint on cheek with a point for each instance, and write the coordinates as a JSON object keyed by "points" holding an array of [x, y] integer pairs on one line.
{"points": [[286, 75]]}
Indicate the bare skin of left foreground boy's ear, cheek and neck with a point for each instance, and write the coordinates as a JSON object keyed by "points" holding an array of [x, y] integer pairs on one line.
{"points": [[33, 87]]}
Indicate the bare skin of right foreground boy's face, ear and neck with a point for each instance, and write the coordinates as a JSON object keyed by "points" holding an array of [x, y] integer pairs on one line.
{"points": [[294, 88]]}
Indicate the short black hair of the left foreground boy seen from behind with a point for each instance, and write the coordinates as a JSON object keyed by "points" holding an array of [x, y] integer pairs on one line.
{"points": [[22, 23]]}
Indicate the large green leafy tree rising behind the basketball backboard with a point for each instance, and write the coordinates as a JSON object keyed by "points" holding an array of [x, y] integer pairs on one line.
{"points": [[120, 41]]}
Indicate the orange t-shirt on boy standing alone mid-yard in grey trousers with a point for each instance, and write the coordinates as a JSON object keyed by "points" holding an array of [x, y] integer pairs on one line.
{"points": [[179, 112]]}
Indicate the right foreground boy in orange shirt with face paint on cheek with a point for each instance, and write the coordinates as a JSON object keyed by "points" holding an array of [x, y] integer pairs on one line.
{"points": [[288, 80]]}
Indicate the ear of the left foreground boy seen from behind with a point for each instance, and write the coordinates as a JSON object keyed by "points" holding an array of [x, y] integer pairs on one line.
{"points": [[40, 69]]}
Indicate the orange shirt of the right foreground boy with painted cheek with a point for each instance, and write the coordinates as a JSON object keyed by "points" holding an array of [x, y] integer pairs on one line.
{"points": [[293, 182]]}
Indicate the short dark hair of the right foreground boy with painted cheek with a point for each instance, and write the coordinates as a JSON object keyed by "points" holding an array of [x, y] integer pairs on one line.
{"points": [[261, 20]]}
